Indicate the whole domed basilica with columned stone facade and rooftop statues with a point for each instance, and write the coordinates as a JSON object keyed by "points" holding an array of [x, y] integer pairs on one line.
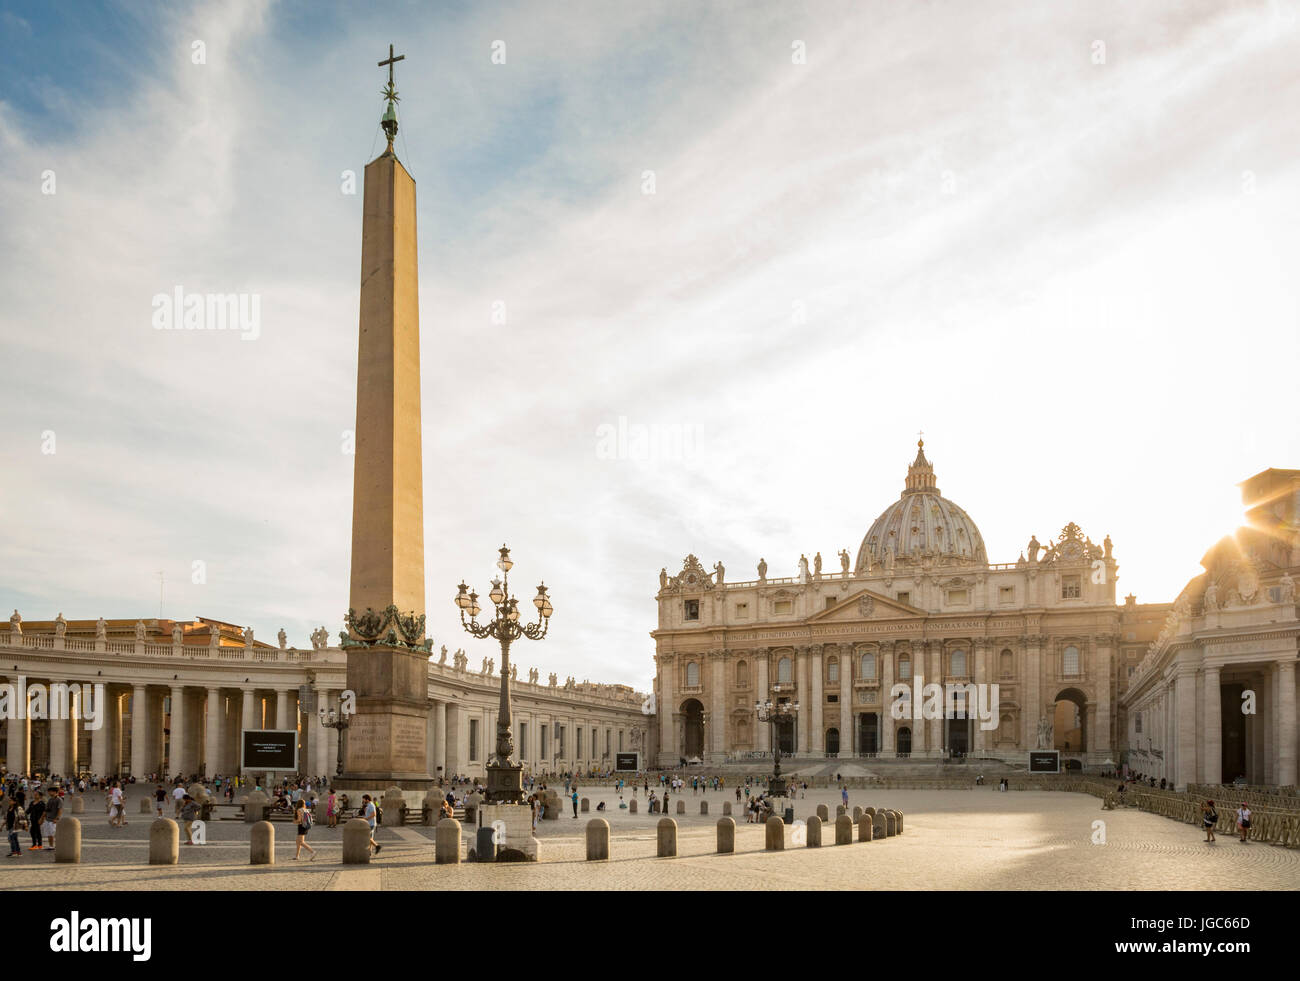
{"points": [[921, 605]]}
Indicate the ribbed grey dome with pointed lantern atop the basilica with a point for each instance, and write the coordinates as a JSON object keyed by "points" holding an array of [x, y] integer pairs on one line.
{"points": [[921, 524]]}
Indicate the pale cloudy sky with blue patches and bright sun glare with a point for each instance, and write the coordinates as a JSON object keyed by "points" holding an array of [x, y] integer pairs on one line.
{"points": [[770, 242]]}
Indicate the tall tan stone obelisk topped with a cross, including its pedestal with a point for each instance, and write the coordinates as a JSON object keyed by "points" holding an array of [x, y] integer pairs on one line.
{"points": [[388, 653]]}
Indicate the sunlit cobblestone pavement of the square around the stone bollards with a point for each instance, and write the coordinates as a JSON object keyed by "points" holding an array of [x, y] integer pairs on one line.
{"points": [[976, 840]]}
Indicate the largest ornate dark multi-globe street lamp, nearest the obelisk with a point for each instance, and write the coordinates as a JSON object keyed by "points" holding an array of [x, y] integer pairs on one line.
{"points": [[505, 779]]}
